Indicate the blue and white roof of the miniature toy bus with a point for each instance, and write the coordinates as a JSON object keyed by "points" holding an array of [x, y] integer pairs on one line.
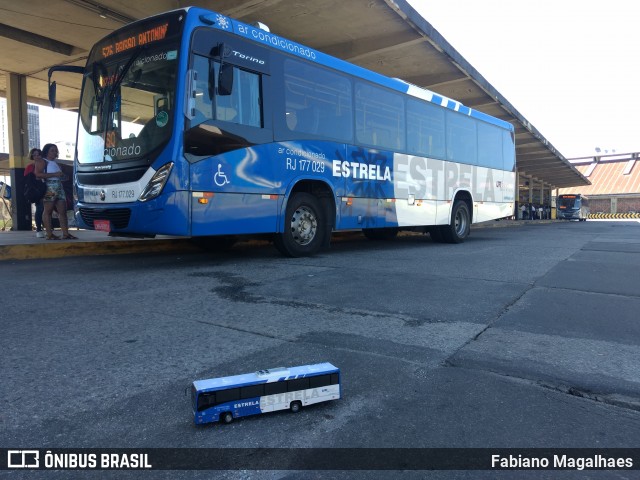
{"points": [[264, 376]]}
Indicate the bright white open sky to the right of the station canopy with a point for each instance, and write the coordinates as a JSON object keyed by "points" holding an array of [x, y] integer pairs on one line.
{"points": [[570, 67]]}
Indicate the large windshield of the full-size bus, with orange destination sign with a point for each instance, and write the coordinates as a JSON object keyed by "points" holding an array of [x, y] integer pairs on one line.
{"points": [[129, 92]]}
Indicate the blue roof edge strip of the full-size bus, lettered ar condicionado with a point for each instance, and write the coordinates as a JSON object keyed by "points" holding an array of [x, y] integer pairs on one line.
{"points": [[272, 40]]}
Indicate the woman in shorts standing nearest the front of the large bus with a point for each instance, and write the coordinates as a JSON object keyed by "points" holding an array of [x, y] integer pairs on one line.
{"points": [[48, 169]]}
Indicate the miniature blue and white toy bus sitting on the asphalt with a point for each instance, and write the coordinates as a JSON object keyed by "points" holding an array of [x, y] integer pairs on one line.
{"points": [[225, 398]]}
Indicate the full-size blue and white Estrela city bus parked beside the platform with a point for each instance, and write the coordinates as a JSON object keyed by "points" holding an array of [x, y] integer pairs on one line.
{"points": [[194, 124]]}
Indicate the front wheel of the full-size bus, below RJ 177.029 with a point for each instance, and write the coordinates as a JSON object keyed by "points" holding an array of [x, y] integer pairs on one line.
{"points": [[304, 227]]}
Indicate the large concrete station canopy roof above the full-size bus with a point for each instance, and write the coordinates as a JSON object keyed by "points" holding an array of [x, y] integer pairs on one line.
{"points": [[387, 36]]}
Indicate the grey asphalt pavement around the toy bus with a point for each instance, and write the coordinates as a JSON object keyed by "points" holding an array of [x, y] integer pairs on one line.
{"points": [[525, 336]]}
